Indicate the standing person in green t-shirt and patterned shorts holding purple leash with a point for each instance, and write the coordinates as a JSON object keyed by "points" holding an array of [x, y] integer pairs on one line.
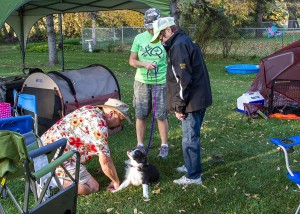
{"points": [[150, 83]]}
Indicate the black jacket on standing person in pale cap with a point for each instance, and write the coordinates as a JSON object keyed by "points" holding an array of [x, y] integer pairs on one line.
{"points": [[188, 85]]}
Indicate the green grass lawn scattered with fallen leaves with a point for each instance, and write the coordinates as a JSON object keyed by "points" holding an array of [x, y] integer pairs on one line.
{"points": [[242, 171]]}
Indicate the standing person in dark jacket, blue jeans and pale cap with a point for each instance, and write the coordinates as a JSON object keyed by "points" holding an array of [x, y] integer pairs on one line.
{"points": [[188, 92]]}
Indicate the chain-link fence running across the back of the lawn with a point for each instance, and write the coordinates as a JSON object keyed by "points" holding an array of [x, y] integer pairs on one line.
{"points": [[249, 42]]}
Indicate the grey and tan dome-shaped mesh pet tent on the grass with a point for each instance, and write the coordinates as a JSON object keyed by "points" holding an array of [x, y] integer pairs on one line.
{"points": [[59, 93]]}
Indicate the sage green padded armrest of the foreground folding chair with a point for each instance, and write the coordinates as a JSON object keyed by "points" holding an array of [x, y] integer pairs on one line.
{"points": [[52, 166]]}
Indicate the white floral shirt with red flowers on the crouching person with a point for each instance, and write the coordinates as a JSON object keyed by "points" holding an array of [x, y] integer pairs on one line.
{"points": [[85, 130]]}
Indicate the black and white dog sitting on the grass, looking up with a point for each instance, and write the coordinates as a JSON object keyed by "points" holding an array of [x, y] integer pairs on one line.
{"points": [[139, 172]]}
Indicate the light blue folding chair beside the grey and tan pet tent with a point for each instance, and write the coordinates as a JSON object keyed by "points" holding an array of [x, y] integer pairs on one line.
{"points": [[26, 102]]}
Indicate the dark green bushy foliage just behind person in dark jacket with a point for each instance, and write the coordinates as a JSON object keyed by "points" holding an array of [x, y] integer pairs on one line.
{"points": [[210, 22]]}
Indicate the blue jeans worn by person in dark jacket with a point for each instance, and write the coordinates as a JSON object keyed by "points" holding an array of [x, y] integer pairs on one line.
{"points": [[191, 143]]}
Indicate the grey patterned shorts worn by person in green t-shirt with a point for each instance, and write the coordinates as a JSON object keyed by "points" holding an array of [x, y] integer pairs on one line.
{"points": [[145, 95]]}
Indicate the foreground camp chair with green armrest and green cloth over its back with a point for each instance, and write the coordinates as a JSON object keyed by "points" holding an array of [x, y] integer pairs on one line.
{"points": [[42, 205]]}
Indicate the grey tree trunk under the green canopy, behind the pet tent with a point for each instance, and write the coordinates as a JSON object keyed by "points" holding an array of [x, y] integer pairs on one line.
{"points": [[53, 57]]}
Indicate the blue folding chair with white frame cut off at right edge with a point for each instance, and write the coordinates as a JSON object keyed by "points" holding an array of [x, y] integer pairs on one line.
{"points": [[287, 145]]}
